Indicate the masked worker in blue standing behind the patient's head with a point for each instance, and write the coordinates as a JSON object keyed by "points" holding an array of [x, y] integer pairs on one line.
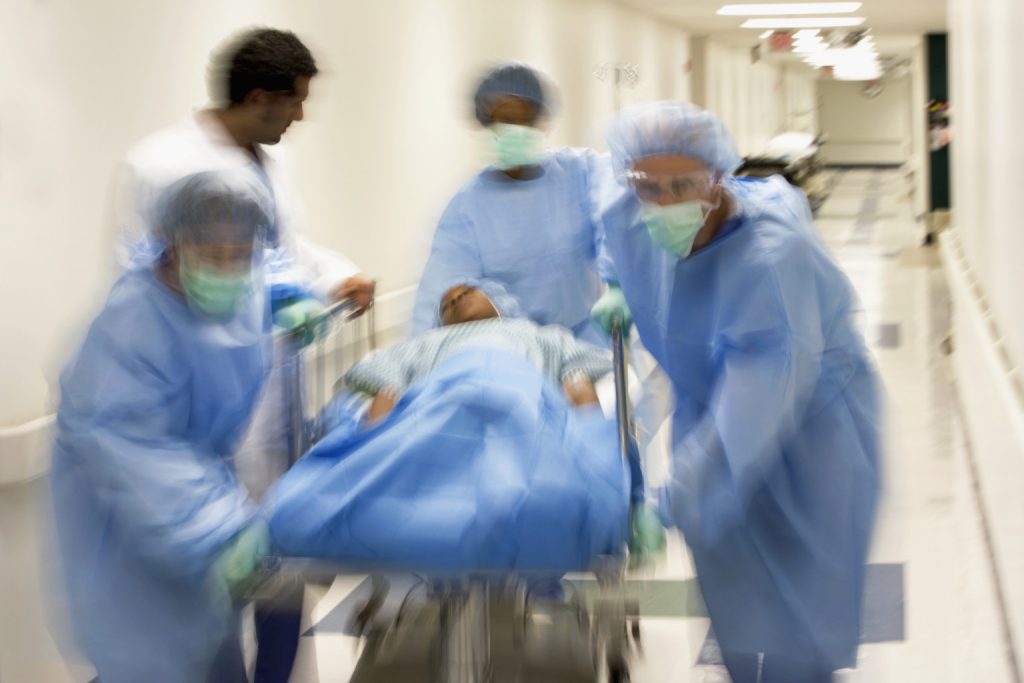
{"points": [[527, 222]]}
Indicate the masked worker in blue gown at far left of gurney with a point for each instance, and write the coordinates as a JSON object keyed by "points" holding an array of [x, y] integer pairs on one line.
{"points": [[155, 531]]}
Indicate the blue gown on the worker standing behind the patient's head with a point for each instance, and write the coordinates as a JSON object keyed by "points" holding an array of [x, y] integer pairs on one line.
{"points": [[537, 238]]}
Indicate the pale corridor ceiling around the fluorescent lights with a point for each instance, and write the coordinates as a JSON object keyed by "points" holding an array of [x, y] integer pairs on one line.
{"points": [[889, 20]]}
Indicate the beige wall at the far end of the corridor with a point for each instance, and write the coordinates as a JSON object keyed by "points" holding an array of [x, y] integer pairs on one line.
{"points": [[866, 131]]}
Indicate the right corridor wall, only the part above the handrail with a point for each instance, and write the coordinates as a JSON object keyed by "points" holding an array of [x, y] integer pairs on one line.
{"points": [[988, 76]]}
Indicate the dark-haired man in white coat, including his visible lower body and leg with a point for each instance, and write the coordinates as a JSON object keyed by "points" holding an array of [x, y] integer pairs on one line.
{"points": [[259, 82]]}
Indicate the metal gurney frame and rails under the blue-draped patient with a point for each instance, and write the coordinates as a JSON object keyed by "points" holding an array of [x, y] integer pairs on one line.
{"points": [[464, 624]]}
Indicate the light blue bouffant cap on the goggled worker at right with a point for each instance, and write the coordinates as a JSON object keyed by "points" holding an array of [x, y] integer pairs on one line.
{"points": [[671, 129]]}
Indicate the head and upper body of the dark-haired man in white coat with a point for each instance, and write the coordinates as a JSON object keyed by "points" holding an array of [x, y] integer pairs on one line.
{"points": [[260, 81]]}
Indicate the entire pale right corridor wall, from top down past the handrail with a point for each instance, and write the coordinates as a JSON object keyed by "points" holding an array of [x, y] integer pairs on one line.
{"points": [[988, 176]]}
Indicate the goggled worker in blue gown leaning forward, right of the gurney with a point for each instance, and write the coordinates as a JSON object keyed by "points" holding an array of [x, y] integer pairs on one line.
{"points": [[776, 432]]}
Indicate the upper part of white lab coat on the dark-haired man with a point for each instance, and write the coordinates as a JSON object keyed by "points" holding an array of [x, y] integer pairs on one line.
{"points": [[201, 144]]}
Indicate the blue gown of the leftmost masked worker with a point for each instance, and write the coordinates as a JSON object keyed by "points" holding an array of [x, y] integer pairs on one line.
{"points": [[144, 487]]}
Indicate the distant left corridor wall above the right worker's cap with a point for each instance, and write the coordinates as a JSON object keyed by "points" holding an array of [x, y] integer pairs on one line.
{"points": [[756, 101]]}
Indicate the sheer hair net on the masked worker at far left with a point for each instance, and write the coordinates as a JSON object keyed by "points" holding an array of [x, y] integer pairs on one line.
{"points": [[234, 201]]}
